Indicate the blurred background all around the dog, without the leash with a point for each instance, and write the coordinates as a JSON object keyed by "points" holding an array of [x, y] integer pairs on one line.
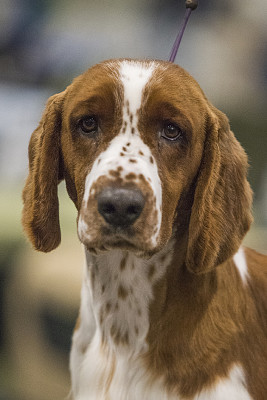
{"points": [[43, 46]]}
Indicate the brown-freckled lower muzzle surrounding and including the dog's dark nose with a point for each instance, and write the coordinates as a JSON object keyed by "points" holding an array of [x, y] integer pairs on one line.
{"points": [[119, 213]]}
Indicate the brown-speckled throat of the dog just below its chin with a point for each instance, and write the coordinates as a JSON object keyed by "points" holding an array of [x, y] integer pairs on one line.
{"points": [[122, 290]]}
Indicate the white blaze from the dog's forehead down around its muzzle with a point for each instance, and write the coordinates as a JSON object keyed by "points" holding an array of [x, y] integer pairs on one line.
{"points": [[137, 157]]}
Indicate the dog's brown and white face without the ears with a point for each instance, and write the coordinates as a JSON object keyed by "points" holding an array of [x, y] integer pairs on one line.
{"points": [[129, 136]]}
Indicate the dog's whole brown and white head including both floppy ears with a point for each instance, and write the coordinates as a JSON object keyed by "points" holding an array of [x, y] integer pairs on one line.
{"points": [[142, 151]]}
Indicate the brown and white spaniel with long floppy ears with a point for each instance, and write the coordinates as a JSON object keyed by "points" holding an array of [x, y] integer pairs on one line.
{"points": [[172, 305]]}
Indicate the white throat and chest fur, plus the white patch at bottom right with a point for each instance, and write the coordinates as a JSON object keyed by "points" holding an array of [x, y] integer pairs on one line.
{"points": [[110, 362]]}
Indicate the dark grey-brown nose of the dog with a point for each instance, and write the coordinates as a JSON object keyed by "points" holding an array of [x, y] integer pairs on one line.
{"points": [[120, 207]]}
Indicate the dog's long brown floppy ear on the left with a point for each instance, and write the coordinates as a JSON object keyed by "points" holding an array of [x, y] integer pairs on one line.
{"points": [[40, 216]]}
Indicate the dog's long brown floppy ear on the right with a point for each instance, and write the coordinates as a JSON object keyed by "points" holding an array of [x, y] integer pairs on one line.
{"points": [[221, 211]]}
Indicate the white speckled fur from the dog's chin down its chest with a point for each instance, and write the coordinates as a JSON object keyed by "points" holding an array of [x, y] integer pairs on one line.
{"points": [[92, 362]]}
